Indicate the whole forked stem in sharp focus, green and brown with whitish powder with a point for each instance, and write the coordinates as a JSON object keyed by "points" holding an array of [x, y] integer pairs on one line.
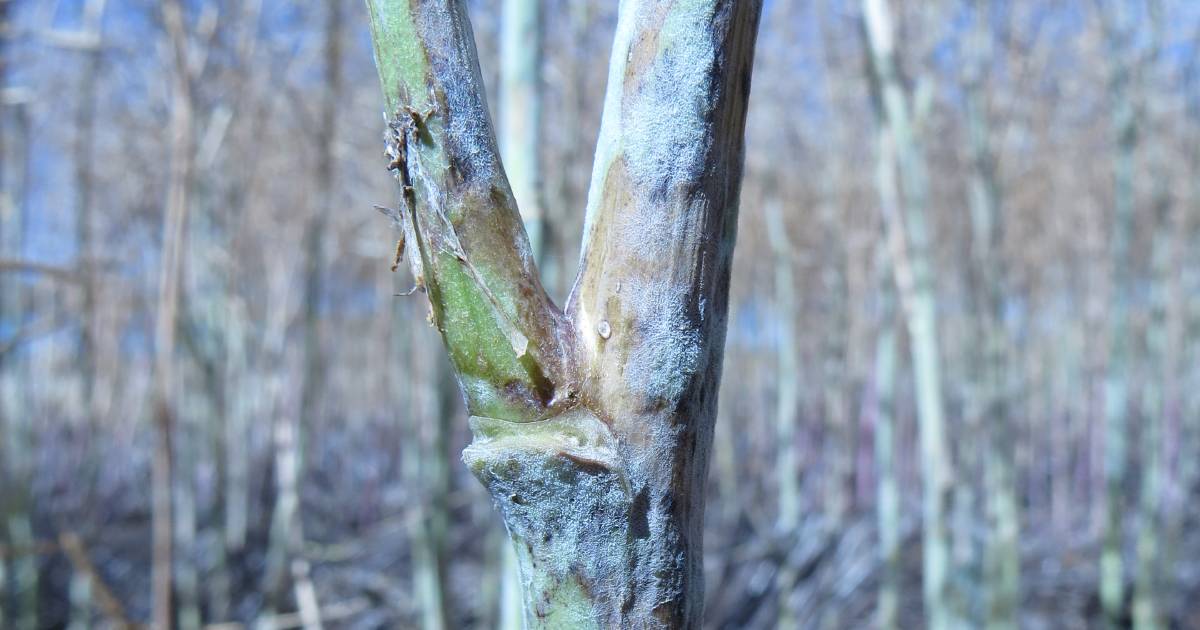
{"points": [[592, 427]]}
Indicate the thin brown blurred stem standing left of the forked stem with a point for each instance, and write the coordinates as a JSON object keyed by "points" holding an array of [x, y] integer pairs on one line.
{"points": [[171, 267]]}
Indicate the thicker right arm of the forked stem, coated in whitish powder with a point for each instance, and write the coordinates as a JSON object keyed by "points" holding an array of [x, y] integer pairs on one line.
{"points": [[651, 299]]}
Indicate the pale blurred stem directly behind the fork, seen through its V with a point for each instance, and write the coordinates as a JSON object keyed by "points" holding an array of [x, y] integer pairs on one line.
{"points": [[520, 143]]}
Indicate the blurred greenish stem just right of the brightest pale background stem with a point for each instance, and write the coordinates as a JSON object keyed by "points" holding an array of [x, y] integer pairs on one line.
{"points": [[1001, 554]]}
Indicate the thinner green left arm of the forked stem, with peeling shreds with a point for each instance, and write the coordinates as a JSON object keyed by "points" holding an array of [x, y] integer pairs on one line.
{"points": [[507, 340]]}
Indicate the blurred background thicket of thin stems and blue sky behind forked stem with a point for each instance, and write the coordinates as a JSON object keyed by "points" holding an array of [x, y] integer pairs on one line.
{"points": [[965, 317]]}
